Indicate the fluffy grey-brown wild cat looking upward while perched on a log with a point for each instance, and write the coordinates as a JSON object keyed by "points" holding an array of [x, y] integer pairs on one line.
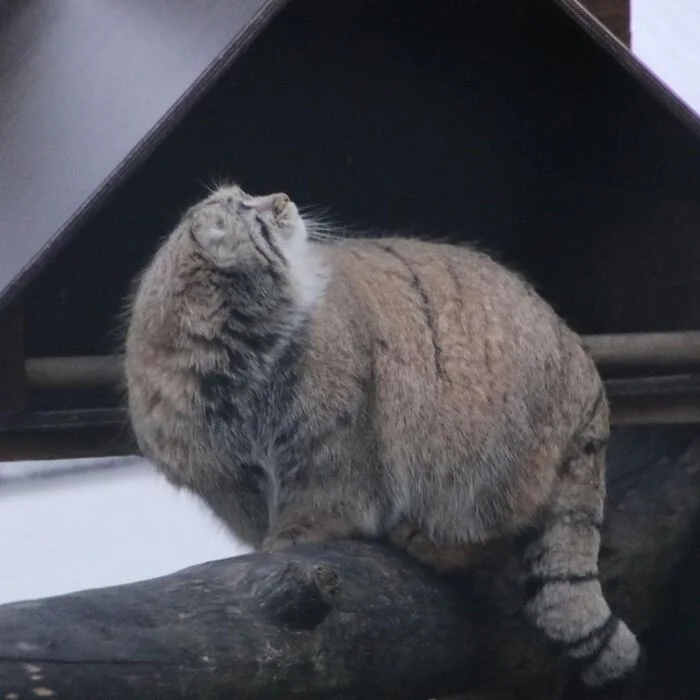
{"points": [[310, 390]]}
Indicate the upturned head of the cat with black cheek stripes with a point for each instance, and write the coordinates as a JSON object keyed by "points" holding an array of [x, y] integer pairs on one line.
{"points": [[234, 229]]}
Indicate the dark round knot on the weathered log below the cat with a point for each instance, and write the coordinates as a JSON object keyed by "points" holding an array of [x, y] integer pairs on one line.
{"points": [[299, 596]]}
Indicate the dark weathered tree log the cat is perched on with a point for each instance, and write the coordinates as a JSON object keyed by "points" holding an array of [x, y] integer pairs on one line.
{"points": [[348, 620]]}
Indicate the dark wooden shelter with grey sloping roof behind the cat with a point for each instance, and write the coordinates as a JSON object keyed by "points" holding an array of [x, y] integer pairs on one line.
{"points": [[521, 125]]}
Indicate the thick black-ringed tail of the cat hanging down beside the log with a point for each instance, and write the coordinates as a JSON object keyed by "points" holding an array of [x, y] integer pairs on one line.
{"points": [[564, 596]]}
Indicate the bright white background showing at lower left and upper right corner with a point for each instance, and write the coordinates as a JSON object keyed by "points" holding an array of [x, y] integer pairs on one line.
{"points": [[95, 530]]}
